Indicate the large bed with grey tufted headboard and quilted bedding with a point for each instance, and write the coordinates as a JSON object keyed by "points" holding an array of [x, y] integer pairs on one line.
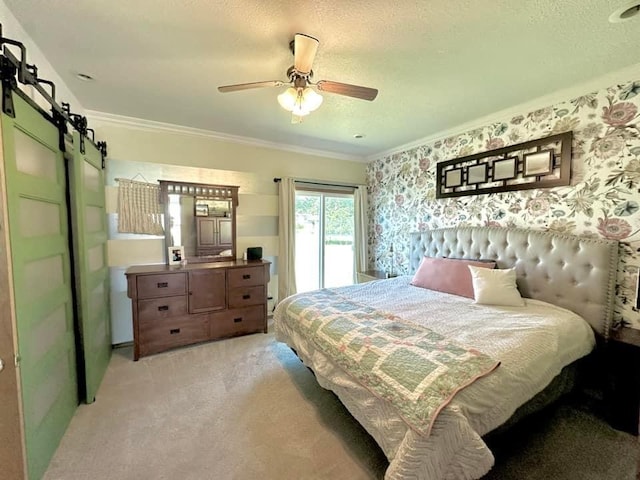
{"points": [[511, 357]]}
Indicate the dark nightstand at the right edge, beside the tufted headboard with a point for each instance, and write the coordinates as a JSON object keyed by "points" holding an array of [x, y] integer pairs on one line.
{"points": [[622, 393]]}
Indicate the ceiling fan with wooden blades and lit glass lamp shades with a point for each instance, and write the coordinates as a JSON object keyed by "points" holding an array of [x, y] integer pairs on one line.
{"points": [[300, 99]]}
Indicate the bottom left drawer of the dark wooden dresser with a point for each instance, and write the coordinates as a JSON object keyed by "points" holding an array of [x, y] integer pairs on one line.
{"points": [[164, 333]]}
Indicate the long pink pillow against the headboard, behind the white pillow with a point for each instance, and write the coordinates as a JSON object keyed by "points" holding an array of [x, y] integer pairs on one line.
{"points": [[448, 275]]}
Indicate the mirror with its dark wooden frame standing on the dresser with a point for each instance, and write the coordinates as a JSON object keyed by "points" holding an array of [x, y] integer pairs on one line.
{"points": [[201, 218]]}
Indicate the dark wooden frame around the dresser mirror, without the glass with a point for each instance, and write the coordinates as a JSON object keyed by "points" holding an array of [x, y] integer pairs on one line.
{"points": [[200, 190]]}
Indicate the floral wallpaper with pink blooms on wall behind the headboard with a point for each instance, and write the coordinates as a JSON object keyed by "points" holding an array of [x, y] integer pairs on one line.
{"points": [[603, 199]]}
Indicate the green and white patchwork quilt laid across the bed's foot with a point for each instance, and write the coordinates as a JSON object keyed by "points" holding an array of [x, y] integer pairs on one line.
{"points": [[414, 368]]}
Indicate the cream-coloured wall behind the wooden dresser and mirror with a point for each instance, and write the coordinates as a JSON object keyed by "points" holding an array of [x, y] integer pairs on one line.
{"points": [[159, 154]]}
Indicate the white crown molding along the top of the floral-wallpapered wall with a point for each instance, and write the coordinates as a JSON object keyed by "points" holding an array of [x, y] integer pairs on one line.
{"points": [[604, 81]]}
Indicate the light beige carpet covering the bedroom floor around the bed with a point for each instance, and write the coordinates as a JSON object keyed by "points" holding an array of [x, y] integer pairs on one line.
{"points": [[246, 408]]}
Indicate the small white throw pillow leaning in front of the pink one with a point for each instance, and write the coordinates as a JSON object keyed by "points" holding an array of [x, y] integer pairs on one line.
{"points": [[495, 287]]}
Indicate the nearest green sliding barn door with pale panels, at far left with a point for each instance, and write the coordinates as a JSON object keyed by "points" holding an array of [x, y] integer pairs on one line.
{"points": [[39, 242]]}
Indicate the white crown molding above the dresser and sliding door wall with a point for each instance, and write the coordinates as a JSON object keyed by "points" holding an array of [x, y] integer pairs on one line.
{"points": [[154, 126]]}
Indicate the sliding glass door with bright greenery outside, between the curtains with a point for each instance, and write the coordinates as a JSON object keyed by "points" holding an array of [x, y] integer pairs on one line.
{"points": [[324, 239]]}
